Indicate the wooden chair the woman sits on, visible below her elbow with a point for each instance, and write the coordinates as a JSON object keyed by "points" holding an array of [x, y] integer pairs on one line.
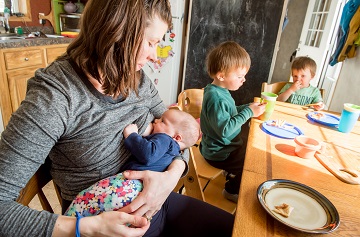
{"points": [[34, 187]]}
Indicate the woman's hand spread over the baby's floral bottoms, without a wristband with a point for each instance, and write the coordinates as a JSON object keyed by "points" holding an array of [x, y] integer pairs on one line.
{"points": [[157, 187]]}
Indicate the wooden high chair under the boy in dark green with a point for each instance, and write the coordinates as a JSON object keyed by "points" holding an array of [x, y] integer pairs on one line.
{"points": [[200, 173]]}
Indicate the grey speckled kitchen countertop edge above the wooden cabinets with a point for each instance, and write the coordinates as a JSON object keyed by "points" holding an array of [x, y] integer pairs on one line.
{"points": [[17, 43]]}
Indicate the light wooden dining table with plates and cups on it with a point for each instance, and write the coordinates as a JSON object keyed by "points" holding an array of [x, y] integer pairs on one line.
{"points": [[269, 157]]}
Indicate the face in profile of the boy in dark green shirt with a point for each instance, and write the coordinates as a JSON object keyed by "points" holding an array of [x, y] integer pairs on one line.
{"points": [[231, 80]]}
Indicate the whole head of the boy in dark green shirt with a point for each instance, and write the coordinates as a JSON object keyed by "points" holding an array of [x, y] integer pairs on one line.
{"points": [[228, 64]]}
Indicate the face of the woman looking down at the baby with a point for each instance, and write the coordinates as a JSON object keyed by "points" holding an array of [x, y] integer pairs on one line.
{"points": [[153, 35]]}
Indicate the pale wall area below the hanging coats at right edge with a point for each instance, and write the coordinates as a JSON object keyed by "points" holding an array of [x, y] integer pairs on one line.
{"points": [[347, 89]]}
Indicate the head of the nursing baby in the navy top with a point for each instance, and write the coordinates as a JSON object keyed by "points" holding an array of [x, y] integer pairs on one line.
{"points": [[179, 125]]}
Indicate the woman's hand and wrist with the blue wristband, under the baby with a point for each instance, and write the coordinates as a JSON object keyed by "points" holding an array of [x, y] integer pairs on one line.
{"points": [[112, 223]]}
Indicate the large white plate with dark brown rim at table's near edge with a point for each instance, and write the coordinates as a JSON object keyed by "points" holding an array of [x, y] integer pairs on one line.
{"points": [[312, 213]]}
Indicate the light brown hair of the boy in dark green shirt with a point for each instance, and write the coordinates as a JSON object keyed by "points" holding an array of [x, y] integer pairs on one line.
{"points": [[225, 57]]}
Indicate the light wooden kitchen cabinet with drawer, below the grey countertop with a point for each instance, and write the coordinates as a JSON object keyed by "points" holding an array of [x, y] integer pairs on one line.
{"points": [[17, 66]]}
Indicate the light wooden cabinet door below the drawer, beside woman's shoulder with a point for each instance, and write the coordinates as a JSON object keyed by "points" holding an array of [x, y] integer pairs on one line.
{"points": [[17, 82]]}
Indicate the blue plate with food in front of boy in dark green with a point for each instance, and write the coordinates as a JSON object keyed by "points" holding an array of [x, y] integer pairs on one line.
{"points": [[288, 131]]}
